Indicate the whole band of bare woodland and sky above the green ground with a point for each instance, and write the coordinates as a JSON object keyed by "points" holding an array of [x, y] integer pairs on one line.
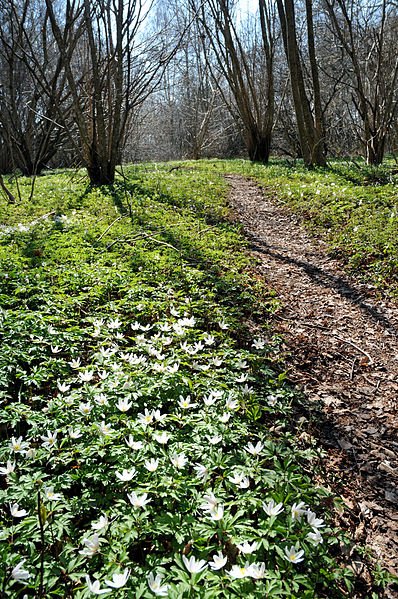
{"points": [[97, 83]]}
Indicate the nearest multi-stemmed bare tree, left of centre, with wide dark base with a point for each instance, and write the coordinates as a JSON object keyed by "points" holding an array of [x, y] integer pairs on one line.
{"points": [[110, 68]]}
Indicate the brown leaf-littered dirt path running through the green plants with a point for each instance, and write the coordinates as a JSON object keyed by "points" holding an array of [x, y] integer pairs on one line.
{"points": [[342, 349]]}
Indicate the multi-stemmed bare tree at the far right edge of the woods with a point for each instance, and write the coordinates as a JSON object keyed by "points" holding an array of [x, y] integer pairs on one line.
{"points": [[368, 35]]}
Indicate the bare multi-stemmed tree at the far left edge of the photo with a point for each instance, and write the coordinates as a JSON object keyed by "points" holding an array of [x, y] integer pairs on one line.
{"points": [[29, 132]]}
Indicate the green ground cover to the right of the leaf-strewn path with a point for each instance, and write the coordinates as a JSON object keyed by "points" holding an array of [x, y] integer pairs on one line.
{"points": [[352, 205]]}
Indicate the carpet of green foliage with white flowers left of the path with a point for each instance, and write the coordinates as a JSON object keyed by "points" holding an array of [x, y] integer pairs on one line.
{"points": [[146, 435]]}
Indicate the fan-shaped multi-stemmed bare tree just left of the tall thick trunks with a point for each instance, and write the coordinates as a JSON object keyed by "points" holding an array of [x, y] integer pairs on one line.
{"points": [[247, 67]]}
